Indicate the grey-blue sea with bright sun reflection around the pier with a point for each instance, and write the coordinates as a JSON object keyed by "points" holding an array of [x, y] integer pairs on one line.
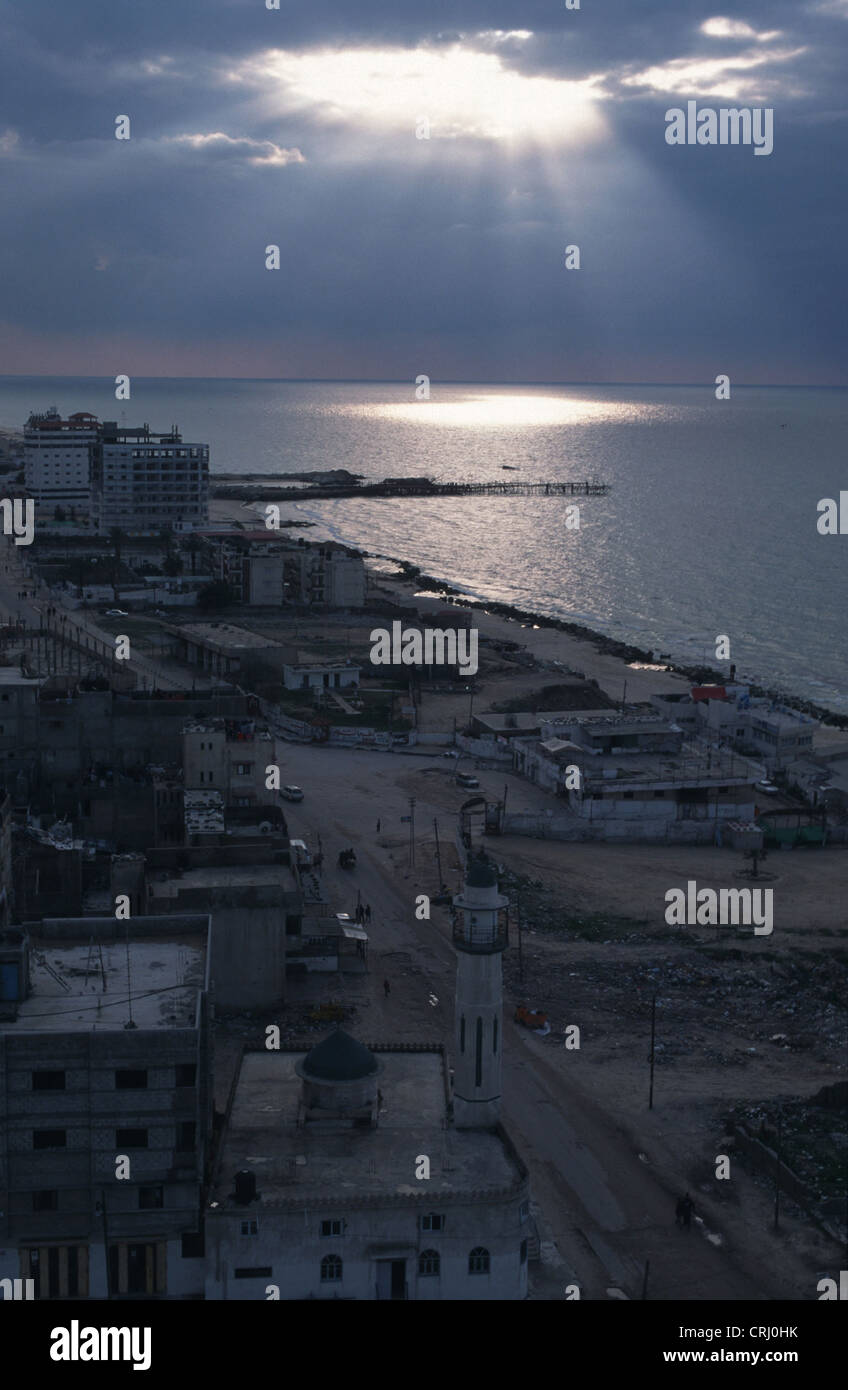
{"points": [[708, 530]]}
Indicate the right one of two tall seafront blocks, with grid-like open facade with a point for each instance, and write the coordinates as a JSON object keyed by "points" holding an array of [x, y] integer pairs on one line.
{"points": [[148, 482]]}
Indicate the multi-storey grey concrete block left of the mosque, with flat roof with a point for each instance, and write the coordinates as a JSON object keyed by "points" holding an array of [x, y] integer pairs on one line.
{"points": [[105, 1070]]}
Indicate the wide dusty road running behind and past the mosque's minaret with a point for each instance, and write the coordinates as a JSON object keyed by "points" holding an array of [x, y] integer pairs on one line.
{"points": [[607, 1209]]}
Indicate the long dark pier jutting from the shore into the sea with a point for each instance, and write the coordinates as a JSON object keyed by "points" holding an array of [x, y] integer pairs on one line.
{"points": [[411, 489]]}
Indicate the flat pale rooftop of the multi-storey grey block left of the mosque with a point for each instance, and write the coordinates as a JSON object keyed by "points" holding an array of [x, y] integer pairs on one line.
{"points": [[67, 988]]}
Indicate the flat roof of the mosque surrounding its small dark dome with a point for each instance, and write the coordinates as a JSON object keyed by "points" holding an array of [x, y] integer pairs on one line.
{"points": [[295, 1166]]}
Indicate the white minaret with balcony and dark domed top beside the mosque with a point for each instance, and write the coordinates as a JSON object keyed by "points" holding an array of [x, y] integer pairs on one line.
{"points": [[480, 938]]}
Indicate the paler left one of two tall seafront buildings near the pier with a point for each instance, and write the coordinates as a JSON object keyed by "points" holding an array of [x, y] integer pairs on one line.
{"points": [[59, 461]]}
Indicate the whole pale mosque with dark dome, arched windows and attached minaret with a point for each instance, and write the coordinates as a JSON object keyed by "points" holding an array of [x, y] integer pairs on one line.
{"points": [[352, 1172]]}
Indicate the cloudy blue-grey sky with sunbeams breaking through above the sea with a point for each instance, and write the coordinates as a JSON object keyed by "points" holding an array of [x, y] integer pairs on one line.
{"points": [[302, 129]]}
